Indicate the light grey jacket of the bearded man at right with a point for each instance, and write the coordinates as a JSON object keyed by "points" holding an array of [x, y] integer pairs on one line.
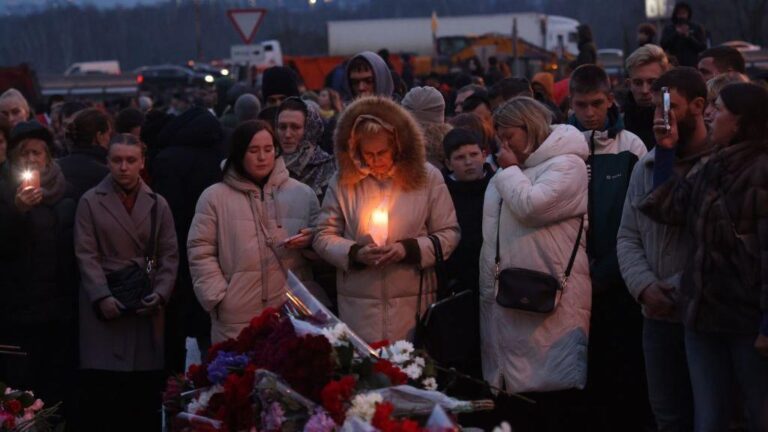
{"points": [[647, 250]]}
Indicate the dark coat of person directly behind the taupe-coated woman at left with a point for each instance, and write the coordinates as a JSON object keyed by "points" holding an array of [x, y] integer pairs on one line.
{"points": [[84, 168]]}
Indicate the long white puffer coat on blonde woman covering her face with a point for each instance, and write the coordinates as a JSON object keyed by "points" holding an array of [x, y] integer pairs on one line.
{"points": [[542, 206]]}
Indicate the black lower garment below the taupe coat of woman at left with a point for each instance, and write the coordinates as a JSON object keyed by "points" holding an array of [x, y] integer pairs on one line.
{"points": [[120, 401]]}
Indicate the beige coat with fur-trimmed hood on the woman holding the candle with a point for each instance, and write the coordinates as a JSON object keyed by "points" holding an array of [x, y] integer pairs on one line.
{"points": [[380, 303]]}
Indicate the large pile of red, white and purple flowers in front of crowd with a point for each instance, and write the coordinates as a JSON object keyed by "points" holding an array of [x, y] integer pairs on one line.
{"points": [[301, 369]]}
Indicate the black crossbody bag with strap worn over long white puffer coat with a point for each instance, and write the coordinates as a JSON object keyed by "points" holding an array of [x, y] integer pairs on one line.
{"points": [[531, 290]]}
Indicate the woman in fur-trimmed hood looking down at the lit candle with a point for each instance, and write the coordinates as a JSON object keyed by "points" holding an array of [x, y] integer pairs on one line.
{"points": [[376, 218]]}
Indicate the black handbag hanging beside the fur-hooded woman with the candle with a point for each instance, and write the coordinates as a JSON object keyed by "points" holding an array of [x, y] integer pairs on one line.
{"points": [[449, 329]]}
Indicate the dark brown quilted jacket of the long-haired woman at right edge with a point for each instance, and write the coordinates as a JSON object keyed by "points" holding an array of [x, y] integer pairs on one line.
{"points": [[724, 208]]}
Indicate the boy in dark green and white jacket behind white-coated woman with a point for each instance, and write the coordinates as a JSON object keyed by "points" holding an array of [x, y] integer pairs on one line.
{"points": [[616, 386]]}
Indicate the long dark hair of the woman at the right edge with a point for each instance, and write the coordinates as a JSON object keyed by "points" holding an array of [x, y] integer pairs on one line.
{"points": [[749, 102]]}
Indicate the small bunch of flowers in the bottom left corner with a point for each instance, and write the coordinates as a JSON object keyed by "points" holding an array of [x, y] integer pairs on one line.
{"points": [[21, 412]]}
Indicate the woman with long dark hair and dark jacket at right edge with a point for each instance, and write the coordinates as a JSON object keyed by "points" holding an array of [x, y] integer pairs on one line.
{"points": [[723, 207]]}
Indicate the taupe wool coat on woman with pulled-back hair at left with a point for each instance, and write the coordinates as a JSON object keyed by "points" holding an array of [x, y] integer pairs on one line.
{"points": [[108, 238]]}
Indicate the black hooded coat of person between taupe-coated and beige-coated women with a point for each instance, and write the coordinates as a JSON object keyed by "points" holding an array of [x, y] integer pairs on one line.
{"points": [[188, 162]]}
